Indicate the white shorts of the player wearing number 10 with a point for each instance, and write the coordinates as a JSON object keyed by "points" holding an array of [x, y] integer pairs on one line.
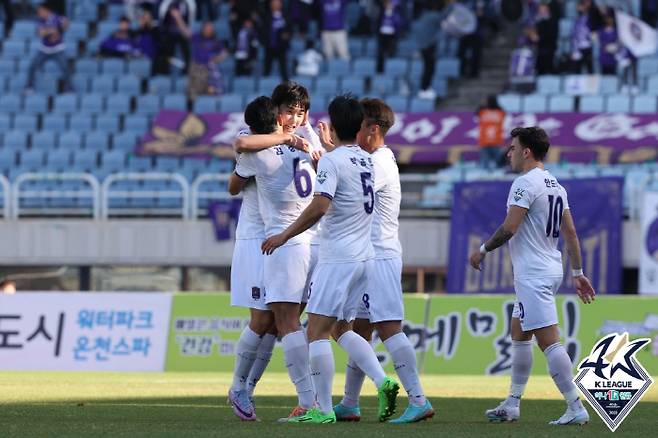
{"points": [[535, 302]]}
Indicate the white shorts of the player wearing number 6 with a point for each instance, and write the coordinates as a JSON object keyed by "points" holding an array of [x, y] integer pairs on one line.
{"points": [[285, 274]]}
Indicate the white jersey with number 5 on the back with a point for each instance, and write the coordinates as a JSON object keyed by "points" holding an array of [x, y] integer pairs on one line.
{"points": [[345, 175]]}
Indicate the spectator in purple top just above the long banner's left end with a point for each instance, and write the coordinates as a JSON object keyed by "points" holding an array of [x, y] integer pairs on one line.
{"points": [[207, 52]]}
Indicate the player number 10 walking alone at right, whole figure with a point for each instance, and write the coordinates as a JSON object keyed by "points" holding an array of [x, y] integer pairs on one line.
{"points": [[537, 212]]}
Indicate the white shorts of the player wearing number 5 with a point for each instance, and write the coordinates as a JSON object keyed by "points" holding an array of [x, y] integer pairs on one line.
{"points": [[337, 289]]}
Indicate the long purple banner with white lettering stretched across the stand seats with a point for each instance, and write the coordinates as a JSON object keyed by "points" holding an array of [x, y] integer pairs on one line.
{"points": [[441, 137]]}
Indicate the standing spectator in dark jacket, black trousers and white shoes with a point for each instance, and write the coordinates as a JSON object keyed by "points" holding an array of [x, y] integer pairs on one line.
{"points": [[425, 34]]}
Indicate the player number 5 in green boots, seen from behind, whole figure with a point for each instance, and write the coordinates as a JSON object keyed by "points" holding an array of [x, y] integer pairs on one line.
{"points": [[344, 196]]}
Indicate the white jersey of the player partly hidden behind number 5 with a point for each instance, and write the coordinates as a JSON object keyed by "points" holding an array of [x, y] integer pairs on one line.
{"points": [[388, 196]]}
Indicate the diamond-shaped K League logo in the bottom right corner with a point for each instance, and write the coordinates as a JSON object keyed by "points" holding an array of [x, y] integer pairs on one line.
{"points": [[612, 379]]}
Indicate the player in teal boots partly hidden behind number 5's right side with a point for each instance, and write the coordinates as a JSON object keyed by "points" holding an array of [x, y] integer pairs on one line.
{"points": [[381, 304]]}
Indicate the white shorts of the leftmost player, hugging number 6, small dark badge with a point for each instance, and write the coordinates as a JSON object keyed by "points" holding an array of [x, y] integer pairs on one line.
{"points": [[247, 289]]}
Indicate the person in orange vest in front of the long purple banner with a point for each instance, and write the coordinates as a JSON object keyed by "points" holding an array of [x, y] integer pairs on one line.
{"points": [[491, 118]]}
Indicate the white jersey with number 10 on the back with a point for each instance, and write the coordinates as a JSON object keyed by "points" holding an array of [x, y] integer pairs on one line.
{"points": [[533, 248]]}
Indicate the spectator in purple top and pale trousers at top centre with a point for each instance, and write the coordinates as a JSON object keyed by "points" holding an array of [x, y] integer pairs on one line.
{"points": [[334, 33]]}
